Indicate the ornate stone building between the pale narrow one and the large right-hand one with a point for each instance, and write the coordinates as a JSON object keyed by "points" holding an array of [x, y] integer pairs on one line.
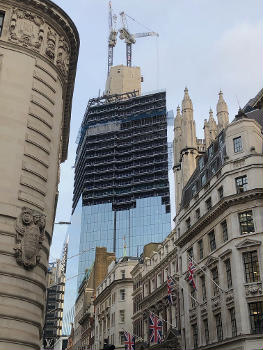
{"points": [[150, 293]]}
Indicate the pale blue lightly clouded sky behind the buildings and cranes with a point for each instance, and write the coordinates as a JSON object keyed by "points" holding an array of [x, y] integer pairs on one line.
{"points": [[206, 45]]}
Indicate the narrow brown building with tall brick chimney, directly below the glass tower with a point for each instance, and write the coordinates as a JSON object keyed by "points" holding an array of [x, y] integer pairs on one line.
{"points": [[84, 307]]}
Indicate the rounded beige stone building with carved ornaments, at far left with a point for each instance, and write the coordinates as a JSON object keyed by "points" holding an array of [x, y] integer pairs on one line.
{"points": [[38, 56]]}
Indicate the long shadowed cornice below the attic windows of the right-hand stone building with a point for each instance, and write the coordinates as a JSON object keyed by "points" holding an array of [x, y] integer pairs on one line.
{"points": [[219, 208]]}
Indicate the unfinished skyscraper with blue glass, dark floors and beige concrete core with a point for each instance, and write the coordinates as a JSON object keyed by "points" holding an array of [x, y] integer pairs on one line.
{"points": [[121, 169]]}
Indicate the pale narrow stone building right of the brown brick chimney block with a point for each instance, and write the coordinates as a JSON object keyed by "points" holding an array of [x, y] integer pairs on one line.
{"points": [[113, 304]]}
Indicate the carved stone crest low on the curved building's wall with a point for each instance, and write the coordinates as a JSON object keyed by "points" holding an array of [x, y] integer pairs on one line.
{"points": [[30, 233]]}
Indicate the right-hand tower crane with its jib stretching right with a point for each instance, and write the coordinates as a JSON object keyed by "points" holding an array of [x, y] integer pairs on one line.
{"points": [[130, 38]]}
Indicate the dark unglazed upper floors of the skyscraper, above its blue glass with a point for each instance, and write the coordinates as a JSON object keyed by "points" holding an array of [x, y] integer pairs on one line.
{"points": [[122, 151]]}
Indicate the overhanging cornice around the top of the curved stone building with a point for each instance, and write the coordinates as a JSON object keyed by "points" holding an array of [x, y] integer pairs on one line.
{"points": [[64, 27]]}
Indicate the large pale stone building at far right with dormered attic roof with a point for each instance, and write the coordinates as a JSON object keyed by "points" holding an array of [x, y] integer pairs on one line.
{"points": [[219, 225]]}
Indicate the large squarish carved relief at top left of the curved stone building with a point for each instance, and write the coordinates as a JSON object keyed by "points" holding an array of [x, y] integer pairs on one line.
{"points": [[26, 29]]}
